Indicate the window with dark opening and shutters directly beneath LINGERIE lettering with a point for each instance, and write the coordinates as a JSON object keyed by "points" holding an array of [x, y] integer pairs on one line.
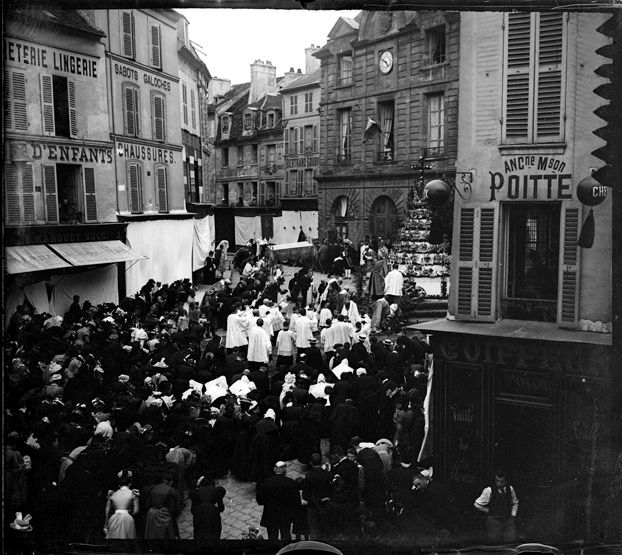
{"points": [[58, 100]]}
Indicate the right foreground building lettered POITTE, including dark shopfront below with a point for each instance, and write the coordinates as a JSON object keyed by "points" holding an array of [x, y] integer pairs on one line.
{"points": [[522, 371]]}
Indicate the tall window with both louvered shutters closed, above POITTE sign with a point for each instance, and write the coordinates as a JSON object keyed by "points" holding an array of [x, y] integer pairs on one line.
{"points": [[534, 83]]}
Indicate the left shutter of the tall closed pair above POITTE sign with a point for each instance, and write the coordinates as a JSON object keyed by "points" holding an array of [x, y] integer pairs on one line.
{"points": [[518, 80]]}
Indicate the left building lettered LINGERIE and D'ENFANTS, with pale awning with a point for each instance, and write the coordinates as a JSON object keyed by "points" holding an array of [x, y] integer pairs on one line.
{"points": [[60, 199]]}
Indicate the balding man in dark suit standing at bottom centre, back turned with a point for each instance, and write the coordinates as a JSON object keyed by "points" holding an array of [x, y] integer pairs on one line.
{"points": [[281, 503]]}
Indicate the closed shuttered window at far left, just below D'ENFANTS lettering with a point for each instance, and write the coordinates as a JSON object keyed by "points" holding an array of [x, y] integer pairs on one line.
{"points": [[20, 197]]}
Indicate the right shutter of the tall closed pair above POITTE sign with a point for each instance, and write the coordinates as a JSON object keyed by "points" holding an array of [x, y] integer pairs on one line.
{"points": [[549, 75]]}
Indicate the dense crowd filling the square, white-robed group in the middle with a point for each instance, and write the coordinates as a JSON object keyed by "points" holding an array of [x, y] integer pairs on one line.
{"points": [[115, 414]]}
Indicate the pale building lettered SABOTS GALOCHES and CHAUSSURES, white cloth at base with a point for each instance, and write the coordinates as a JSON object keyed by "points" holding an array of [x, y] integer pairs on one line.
{"points": [[145, 105]]}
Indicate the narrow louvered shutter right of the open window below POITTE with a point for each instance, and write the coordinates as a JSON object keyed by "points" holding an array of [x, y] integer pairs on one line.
{"points": [[569, 268]]}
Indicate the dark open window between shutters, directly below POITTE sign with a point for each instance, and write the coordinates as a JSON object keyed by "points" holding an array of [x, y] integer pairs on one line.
{"points": [[532, 262]]}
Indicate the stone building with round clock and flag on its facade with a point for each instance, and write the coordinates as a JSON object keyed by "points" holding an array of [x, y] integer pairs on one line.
{"points": [[396, 72]]}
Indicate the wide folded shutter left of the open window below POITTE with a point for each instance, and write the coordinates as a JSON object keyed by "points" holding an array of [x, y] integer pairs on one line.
{"points": [[476, 273]]}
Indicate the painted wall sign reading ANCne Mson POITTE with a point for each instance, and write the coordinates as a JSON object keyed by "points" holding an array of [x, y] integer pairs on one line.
{"points": [[531, 177]]}
